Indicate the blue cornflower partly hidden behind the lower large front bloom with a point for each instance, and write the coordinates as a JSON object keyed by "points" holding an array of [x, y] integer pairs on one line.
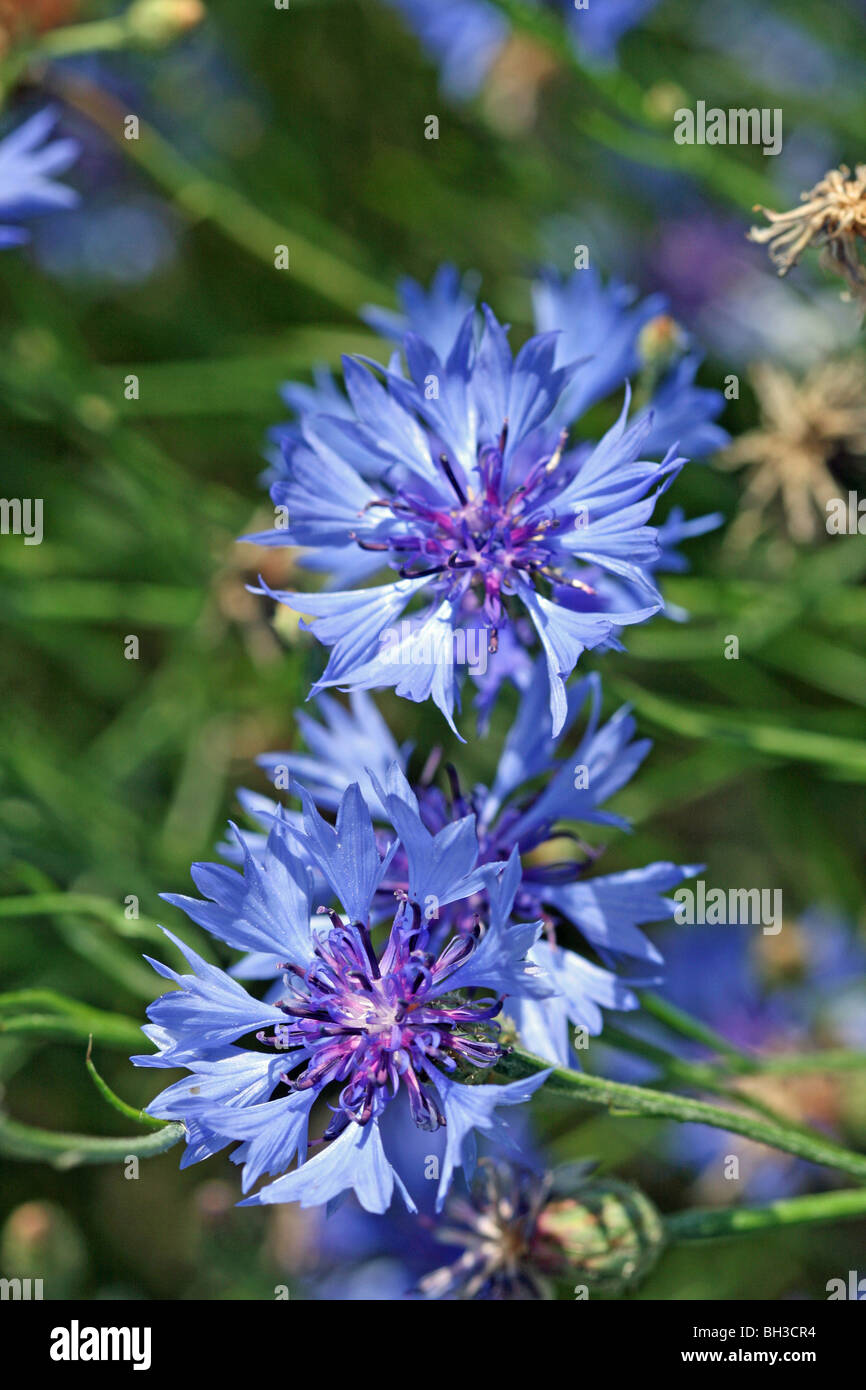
{"points": [[594, 953]]}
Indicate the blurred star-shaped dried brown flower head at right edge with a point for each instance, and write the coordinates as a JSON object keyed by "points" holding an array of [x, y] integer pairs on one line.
{"points": [[804, 426]]}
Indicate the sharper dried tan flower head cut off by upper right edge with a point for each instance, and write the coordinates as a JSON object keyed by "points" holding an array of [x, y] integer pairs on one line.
{"points": [[833, 218]]}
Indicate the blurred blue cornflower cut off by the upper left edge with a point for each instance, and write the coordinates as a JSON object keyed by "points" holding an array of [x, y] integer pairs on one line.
{"points": [[28, 165]]}
